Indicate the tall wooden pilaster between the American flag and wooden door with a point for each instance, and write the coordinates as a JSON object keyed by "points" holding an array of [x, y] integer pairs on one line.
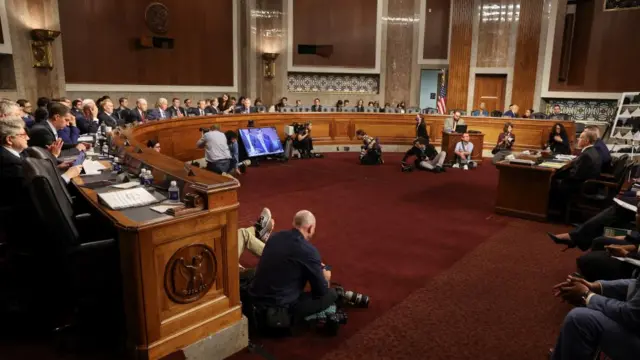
{"points": [[460, 54]]}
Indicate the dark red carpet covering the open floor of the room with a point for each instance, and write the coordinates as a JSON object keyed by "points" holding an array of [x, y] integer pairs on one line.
{"points": [[448, 279]]}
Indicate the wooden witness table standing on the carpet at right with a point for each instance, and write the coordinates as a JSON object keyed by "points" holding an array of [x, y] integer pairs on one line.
{"points": [[523, 191]]}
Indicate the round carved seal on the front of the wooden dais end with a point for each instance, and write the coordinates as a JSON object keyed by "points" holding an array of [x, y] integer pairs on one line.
{"points": [[190, 273]]}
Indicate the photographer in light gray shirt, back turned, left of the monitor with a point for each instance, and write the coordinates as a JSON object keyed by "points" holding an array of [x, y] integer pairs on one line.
{"points": [[217, 154]]}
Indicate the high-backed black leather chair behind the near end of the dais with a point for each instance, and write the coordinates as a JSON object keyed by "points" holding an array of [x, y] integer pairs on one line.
{"points": [[73, 263]]}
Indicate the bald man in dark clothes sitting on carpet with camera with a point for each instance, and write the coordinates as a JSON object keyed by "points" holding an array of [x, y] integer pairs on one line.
{"points": [[289, 261]]}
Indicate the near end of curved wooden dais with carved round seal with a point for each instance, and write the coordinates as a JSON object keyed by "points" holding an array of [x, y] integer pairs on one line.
{"points": [[180, 273]]}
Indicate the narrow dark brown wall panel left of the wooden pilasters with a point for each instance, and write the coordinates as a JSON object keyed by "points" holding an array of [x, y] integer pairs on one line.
{"points": [[436, 29]]}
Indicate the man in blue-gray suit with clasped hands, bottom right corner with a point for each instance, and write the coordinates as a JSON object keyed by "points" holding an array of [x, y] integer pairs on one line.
{"points": [[609, 318]]}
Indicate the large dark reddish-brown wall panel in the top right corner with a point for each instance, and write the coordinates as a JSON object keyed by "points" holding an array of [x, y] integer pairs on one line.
{"points": [[604, 52]]}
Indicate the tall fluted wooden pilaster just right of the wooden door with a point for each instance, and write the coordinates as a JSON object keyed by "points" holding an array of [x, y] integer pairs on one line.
{"points": [[526, 61]]}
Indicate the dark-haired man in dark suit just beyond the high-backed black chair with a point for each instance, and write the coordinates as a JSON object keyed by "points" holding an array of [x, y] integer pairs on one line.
{"points": [[45, 134]]}
